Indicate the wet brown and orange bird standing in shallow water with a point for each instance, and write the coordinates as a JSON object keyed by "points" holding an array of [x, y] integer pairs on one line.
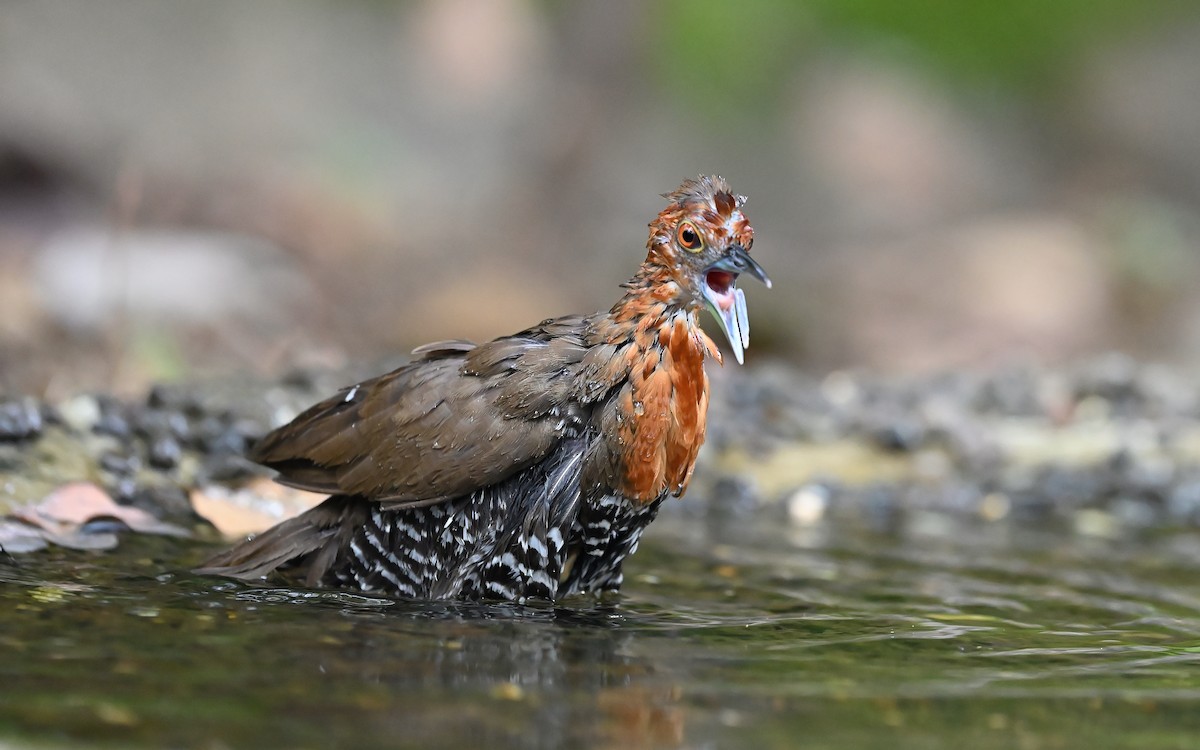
{"points": [[525, 469]]}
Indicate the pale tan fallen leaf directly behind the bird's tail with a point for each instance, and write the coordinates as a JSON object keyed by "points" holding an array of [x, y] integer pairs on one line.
{"points": [[254, 508]]}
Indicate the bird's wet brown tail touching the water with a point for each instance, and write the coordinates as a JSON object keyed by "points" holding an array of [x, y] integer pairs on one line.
{"points": [[307, 545]]}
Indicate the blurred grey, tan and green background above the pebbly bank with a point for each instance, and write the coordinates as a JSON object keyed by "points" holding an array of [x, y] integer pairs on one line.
{"points": [[189, 189]]}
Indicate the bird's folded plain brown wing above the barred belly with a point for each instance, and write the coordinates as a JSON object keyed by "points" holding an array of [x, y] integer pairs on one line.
{"points": [[460, 419]]}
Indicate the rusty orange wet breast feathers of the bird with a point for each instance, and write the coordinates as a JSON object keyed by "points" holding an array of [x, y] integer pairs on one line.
{"points": [[665, 410]]}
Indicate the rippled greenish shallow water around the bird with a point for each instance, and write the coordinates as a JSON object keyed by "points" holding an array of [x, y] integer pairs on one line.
{"points": [[728, 634]]}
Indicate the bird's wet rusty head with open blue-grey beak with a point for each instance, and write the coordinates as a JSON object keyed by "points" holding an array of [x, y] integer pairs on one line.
{"points": [[700, 244]]}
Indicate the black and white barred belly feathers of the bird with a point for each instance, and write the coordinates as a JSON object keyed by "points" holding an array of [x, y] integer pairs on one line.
{"points": [[533, 537]]}
